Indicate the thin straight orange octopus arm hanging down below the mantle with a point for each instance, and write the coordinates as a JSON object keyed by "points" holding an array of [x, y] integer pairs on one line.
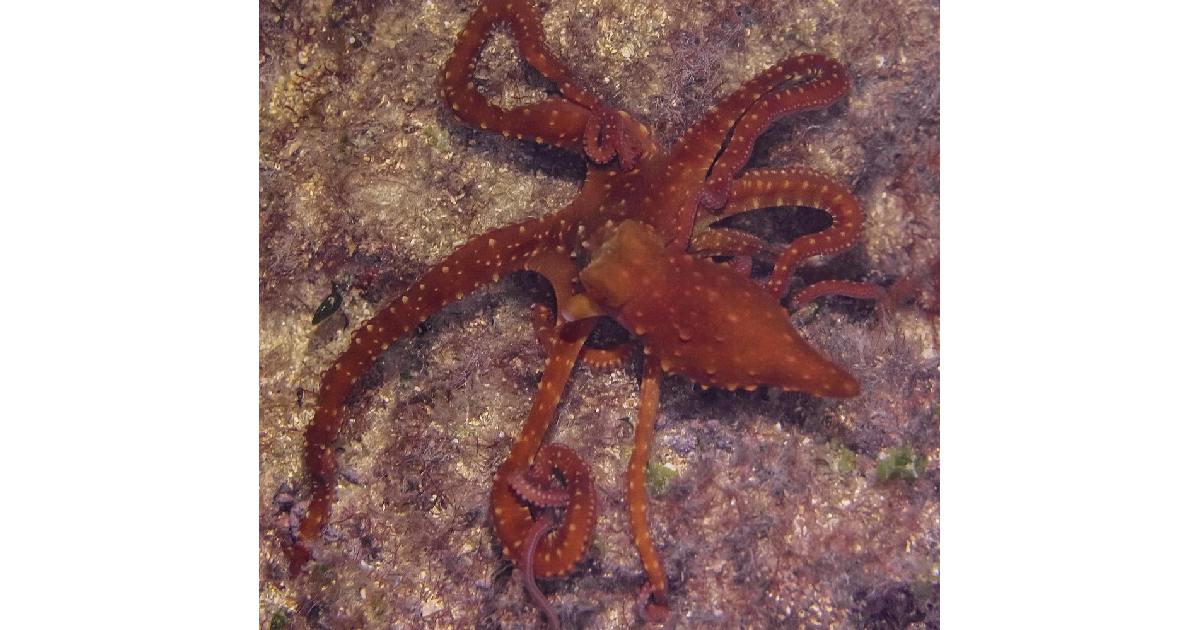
{"points": [[657, 608]]}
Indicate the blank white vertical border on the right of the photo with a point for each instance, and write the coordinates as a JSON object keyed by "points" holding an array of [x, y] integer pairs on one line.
{"points": [[1070, 266]]}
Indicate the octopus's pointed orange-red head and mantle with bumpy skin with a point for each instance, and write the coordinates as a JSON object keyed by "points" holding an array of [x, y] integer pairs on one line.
{"points": [[704, 321]]}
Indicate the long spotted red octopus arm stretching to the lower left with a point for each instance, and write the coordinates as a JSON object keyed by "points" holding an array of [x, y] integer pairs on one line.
{"points": [[481, 261]]}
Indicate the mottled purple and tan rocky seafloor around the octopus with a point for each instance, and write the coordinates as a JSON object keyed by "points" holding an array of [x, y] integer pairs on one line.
{"points": [[769, 509]]}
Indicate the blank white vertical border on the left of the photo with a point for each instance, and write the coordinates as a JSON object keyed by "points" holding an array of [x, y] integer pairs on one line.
{"points": [[130, 353]]}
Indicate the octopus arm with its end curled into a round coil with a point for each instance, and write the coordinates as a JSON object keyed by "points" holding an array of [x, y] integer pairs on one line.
{"points": [[512, 519]]}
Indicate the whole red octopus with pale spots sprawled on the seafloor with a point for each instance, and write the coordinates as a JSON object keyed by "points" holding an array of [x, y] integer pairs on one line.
{"points": [[640, 245]]}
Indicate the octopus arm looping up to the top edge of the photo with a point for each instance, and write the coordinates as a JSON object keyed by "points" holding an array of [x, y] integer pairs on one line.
{"points": [[579, 123]]}
